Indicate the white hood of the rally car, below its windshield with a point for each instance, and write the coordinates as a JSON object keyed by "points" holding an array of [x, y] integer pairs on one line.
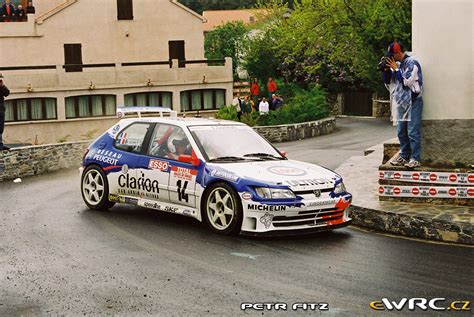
{"points": [[297, 175]]}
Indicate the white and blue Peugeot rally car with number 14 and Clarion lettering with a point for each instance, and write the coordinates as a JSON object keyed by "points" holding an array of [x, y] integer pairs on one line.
{"points": [[220, 172]]}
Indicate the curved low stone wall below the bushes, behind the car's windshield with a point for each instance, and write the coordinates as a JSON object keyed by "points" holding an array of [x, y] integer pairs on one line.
{"points": [[298, 131]]}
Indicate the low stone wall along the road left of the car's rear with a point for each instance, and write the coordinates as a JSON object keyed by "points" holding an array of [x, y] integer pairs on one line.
{"points": [[33, 160]]}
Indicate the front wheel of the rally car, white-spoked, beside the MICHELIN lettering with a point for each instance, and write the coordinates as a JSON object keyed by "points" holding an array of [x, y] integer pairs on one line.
{"points": [[222, 209]]}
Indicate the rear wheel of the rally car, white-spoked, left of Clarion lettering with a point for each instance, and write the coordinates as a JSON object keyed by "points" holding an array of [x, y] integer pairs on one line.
{"points": [[95, 188]]}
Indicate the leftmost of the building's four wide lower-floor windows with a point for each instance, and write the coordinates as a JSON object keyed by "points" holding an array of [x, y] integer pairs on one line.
{"points": [[30, 109]]}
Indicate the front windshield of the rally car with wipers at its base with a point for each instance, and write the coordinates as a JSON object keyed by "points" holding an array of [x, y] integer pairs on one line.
{"points": [[233, 143]]}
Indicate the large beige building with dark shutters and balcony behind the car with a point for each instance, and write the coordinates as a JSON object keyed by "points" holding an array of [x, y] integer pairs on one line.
{"points": [[70, 65]]}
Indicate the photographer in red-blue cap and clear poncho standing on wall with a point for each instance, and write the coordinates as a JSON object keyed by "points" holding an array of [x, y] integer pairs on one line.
{"points": [[402, 76]]}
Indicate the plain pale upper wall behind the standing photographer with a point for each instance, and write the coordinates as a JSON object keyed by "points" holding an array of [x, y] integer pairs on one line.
{"points": [[443, 43]]}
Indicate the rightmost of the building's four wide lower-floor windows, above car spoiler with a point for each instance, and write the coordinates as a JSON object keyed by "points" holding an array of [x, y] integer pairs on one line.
{"points": [[202, 99]]}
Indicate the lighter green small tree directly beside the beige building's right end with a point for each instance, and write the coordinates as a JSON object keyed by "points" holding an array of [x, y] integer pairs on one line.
{"points": [[226, 41]]}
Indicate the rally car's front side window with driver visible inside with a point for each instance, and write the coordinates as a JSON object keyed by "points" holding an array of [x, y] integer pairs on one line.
{"points": [[169, 141]]}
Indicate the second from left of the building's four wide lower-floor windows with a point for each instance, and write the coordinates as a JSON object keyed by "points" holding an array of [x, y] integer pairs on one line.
{"points": [[90, 106]]}
